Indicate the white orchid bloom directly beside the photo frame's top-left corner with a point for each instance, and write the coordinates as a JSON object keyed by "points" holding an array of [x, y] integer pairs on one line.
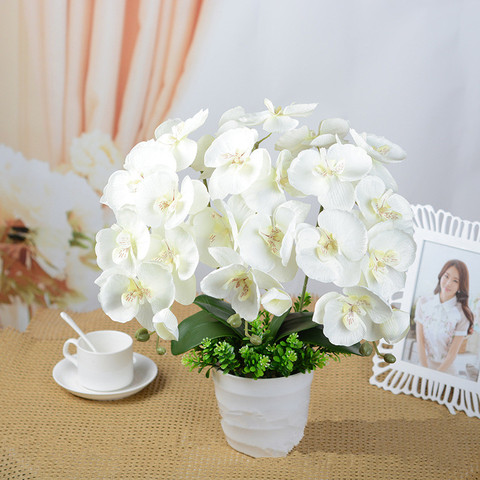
{"points": [[377, 204]]}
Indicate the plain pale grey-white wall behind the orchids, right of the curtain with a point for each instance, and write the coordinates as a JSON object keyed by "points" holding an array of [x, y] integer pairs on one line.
{"points": [[409, 71]]}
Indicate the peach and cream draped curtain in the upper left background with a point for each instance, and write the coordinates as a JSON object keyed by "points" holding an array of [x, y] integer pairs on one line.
{"points": [[111, 65]]}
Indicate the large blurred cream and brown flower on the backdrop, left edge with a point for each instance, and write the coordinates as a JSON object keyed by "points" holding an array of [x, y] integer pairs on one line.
{"points": [[47, 237]]}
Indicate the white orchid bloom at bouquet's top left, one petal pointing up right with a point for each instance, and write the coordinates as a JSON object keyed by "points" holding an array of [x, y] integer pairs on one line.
{"points": [[173, 134]]}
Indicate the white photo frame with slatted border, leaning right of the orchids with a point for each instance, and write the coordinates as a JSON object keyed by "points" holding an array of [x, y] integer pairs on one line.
{"points": [[440, 237]]}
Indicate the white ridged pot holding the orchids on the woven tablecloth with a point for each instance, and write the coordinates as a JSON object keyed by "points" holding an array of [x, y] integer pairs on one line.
{"points": [[264, 417]]}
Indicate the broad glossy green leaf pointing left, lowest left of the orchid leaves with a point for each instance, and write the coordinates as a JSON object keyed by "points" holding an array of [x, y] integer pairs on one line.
{"points": [[194, 329]]}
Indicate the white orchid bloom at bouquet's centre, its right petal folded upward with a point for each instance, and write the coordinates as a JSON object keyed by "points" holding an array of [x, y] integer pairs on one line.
{"points": [[266, 243]]}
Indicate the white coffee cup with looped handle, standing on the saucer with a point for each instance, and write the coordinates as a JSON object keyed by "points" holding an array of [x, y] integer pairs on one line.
{"points": [[110, 367]]}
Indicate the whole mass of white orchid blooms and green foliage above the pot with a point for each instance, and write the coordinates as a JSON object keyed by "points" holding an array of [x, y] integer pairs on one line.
{"points": [[327, 210]]}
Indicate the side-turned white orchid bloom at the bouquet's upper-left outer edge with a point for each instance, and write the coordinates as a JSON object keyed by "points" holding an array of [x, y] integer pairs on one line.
{"points": [[144, 159]]}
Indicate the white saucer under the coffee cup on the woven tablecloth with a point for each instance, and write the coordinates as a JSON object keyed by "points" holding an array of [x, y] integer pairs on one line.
{"points": [[145, 370]]}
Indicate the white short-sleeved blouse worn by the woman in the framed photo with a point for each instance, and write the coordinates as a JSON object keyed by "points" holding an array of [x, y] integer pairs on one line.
{"points": [[441, 322]]}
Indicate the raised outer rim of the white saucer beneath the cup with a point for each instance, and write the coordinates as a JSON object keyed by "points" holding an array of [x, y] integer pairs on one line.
{"points": [[80, 391]]}
